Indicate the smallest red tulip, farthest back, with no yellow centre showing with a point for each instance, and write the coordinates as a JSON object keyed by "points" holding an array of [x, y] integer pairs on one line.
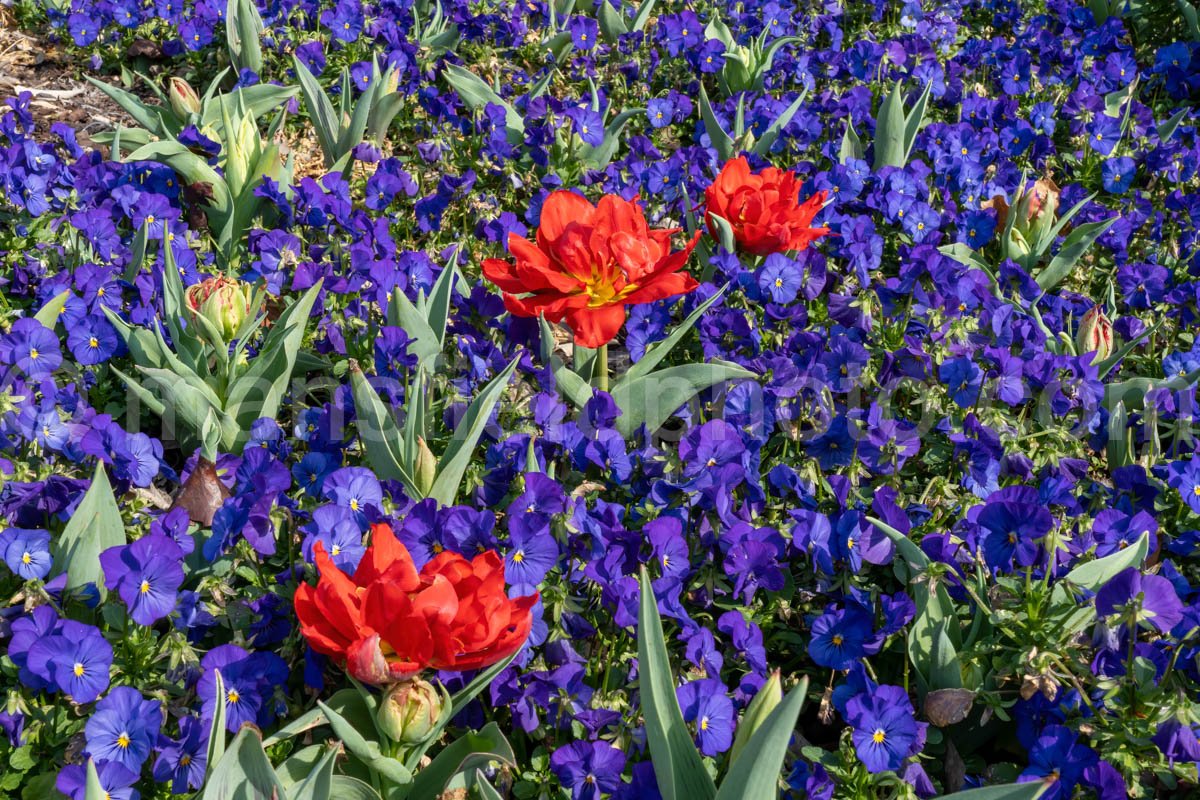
{"points": [[764, 209]]}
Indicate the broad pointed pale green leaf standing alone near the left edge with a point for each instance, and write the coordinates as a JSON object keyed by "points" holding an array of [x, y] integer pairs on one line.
{"points": [[94, 528]]}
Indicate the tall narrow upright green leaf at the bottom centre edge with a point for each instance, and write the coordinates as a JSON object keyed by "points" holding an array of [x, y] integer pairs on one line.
{"points": [[679, 767]]}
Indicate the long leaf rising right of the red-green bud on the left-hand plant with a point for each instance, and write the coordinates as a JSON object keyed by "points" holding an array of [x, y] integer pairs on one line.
{"points": [[259, 392]]}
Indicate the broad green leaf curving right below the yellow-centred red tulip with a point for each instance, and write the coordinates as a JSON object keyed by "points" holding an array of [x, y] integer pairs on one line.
{"points": [[651, 400]]}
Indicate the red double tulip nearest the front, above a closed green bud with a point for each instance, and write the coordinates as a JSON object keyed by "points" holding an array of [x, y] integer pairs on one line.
{"points": [[389, 622]]}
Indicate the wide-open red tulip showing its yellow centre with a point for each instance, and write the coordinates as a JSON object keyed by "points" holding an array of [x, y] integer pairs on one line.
{"points": [[589, 264]]}
